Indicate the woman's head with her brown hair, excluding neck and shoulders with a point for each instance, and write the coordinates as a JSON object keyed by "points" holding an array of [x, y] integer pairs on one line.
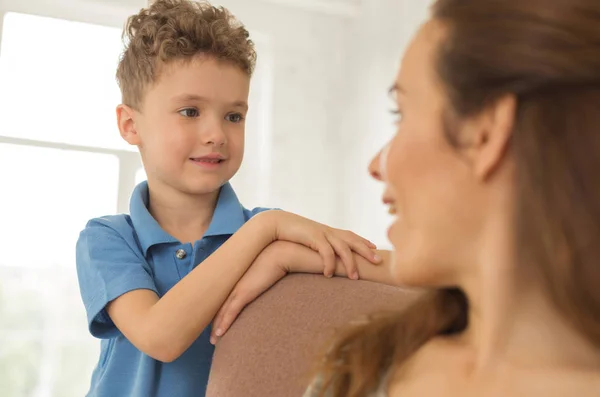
{"points": [[499, 137]]}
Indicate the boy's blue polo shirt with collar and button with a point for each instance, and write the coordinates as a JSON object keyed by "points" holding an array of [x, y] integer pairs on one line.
{"points": [[120, 253]]}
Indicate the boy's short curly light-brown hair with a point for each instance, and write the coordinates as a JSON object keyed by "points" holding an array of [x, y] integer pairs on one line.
{"points": [[178, 30]]}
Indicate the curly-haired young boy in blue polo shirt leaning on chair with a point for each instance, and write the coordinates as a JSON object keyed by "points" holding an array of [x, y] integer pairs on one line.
{"points": [[153, 281]]}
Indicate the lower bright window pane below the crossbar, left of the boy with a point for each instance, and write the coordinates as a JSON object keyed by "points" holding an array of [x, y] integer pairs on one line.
{"points": [[44, 206]]}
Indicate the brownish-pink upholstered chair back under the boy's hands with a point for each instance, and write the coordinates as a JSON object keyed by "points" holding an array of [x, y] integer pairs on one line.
{"points": [[272, 346]]}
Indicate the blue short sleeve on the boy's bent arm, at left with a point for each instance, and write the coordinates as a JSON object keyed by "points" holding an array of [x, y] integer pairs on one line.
{"points": [[108, 266]]}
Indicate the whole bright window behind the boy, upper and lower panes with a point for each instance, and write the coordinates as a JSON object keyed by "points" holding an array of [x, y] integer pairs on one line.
{"points": [[62, 163]]}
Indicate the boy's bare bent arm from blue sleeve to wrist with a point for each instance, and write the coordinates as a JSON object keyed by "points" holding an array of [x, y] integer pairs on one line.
{"points": [[164, 328]]}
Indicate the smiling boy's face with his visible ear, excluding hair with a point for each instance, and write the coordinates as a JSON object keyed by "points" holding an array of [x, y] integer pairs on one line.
{"points": [[190, 131]]}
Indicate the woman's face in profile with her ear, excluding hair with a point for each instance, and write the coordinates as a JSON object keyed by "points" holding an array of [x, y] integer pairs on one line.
{"points": [[447, 194]]}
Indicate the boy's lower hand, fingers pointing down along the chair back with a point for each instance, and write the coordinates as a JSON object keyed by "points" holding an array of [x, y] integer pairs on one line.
{"points": [[267, 269]]}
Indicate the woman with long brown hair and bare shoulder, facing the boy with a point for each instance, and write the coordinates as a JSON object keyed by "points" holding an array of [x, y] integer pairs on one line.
{"points": [[493, 177]]}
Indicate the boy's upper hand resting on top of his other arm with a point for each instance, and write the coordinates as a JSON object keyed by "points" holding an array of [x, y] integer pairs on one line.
{"points": [[327, 241]]}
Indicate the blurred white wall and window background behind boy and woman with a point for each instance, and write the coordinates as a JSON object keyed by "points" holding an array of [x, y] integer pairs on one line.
{"points": [[319, 111]]}
